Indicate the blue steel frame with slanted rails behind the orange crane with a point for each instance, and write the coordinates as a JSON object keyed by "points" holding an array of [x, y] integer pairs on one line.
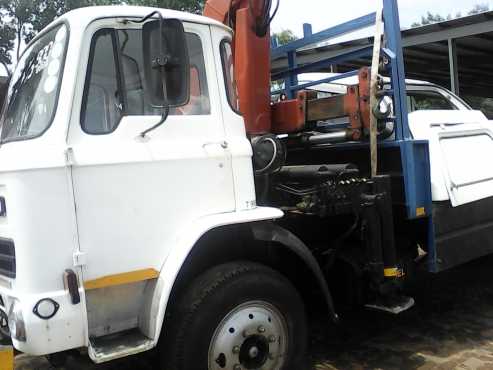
{"points": [[414, 153]]}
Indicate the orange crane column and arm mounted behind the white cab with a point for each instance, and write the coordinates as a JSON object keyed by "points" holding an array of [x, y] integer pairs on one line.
{"points": [[251, 51]]}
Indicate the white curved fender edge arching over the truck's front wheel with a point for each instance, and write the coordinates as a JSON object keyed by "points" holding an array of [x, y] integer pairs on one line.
{"points": [[182, 248]]}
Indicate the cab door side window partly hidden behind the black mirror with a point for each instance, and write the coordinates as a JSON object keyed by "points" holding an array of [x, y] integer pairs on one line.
{"points": [[115, 85]]}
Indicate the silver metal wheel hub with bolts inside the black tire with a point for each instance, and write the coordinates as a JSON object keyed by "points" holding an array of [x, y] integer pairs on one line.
{"points": [[251, 336]]}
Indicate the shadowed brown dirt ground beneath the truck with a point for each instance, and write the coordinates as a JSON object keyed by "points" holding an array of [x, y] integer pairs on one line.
{"points": [[451, 327]]}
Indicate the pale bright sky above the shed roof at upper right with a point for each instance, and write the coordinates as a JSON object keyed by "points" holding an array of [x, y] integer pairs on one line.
{"points": [[323, 14]]}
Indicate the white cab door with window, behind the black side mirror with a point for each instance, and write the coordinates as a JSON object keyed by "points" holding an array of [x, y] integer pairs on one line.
{"points": [[135, 195]]}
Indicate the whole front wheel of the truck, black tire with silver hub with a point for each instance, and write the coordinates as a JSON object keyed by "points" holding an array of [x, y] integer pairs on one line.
{"points": [[237, 316]]}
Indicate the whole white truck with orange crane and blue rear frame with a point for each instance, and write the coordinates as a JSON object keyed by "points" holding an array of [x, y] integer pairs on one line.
{"points": [[107, 244]]}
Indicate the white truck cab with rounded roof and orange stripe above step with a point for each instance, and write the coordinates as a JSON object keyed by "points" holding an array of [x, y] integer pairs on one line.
{"points": [[82, 191]]}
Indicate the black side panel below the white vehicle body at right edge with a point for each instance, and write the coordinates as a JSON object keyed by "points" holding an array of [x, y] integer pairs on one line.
{"points": [[462, 233]]}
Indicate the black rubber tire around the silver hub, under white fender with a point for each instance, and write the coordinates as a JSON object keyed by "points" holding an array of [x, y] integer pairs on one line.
{"points": [[188, 331]]}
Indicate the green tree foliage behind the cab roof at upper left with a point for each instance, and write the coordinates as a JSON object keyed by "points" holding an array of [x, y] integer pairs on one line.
{"points": [[21, 20]]}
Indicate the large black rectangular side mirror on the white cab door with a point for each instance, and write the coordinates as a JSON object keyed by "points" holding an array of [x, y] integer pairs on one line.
{"points": [[166, 60]]}
